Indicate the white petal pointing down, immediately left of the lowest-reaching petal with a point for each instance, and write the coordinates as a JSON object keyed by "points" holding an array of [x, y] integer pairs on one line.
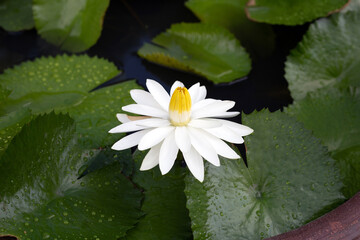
{"points": [[168, 154]]}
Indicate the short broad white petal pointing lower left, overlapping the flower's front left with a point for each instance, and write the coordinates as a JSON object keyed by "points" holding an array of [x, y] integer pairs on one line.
{"points": [[154, 137]]}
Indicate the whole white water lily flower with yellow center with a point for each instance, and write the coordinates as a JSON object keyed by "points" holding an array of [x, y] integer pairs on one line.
{"points": [[184, 120]]}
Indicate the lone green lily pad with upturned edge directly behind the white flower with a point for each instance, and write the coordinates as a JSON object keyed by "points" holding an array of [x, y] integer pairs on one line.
{"points": [[208, 50]]}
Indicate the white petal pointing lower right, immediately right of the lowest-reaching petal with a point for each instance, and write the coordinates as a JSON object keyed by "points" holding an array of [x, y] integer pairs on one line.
{"points": [[203, 147]]}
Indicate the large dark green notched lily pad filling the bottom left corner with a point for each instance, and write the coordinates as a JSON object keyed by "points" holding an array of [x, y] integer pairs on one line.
{"points": [[42, 197]]}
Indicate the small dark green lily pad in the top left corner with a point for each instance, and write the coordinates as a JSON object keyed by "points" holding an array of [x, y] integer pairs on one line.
{"points": [[16, 15]]}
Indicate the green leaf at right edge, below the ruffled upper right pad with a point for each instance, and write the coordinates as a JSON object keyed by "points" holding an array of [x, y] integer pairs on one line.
{"points": [[334, 117]]}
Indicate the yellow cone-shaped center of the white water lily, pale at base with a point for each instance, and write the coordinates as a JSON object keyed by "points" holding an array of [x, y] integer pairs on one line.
{"points": [[180, 107]]}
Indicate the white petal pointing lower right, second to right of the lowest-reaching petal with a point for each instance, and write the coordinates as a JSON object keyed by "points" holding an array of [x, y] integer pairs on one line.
{"points": [[219, 145]]}
